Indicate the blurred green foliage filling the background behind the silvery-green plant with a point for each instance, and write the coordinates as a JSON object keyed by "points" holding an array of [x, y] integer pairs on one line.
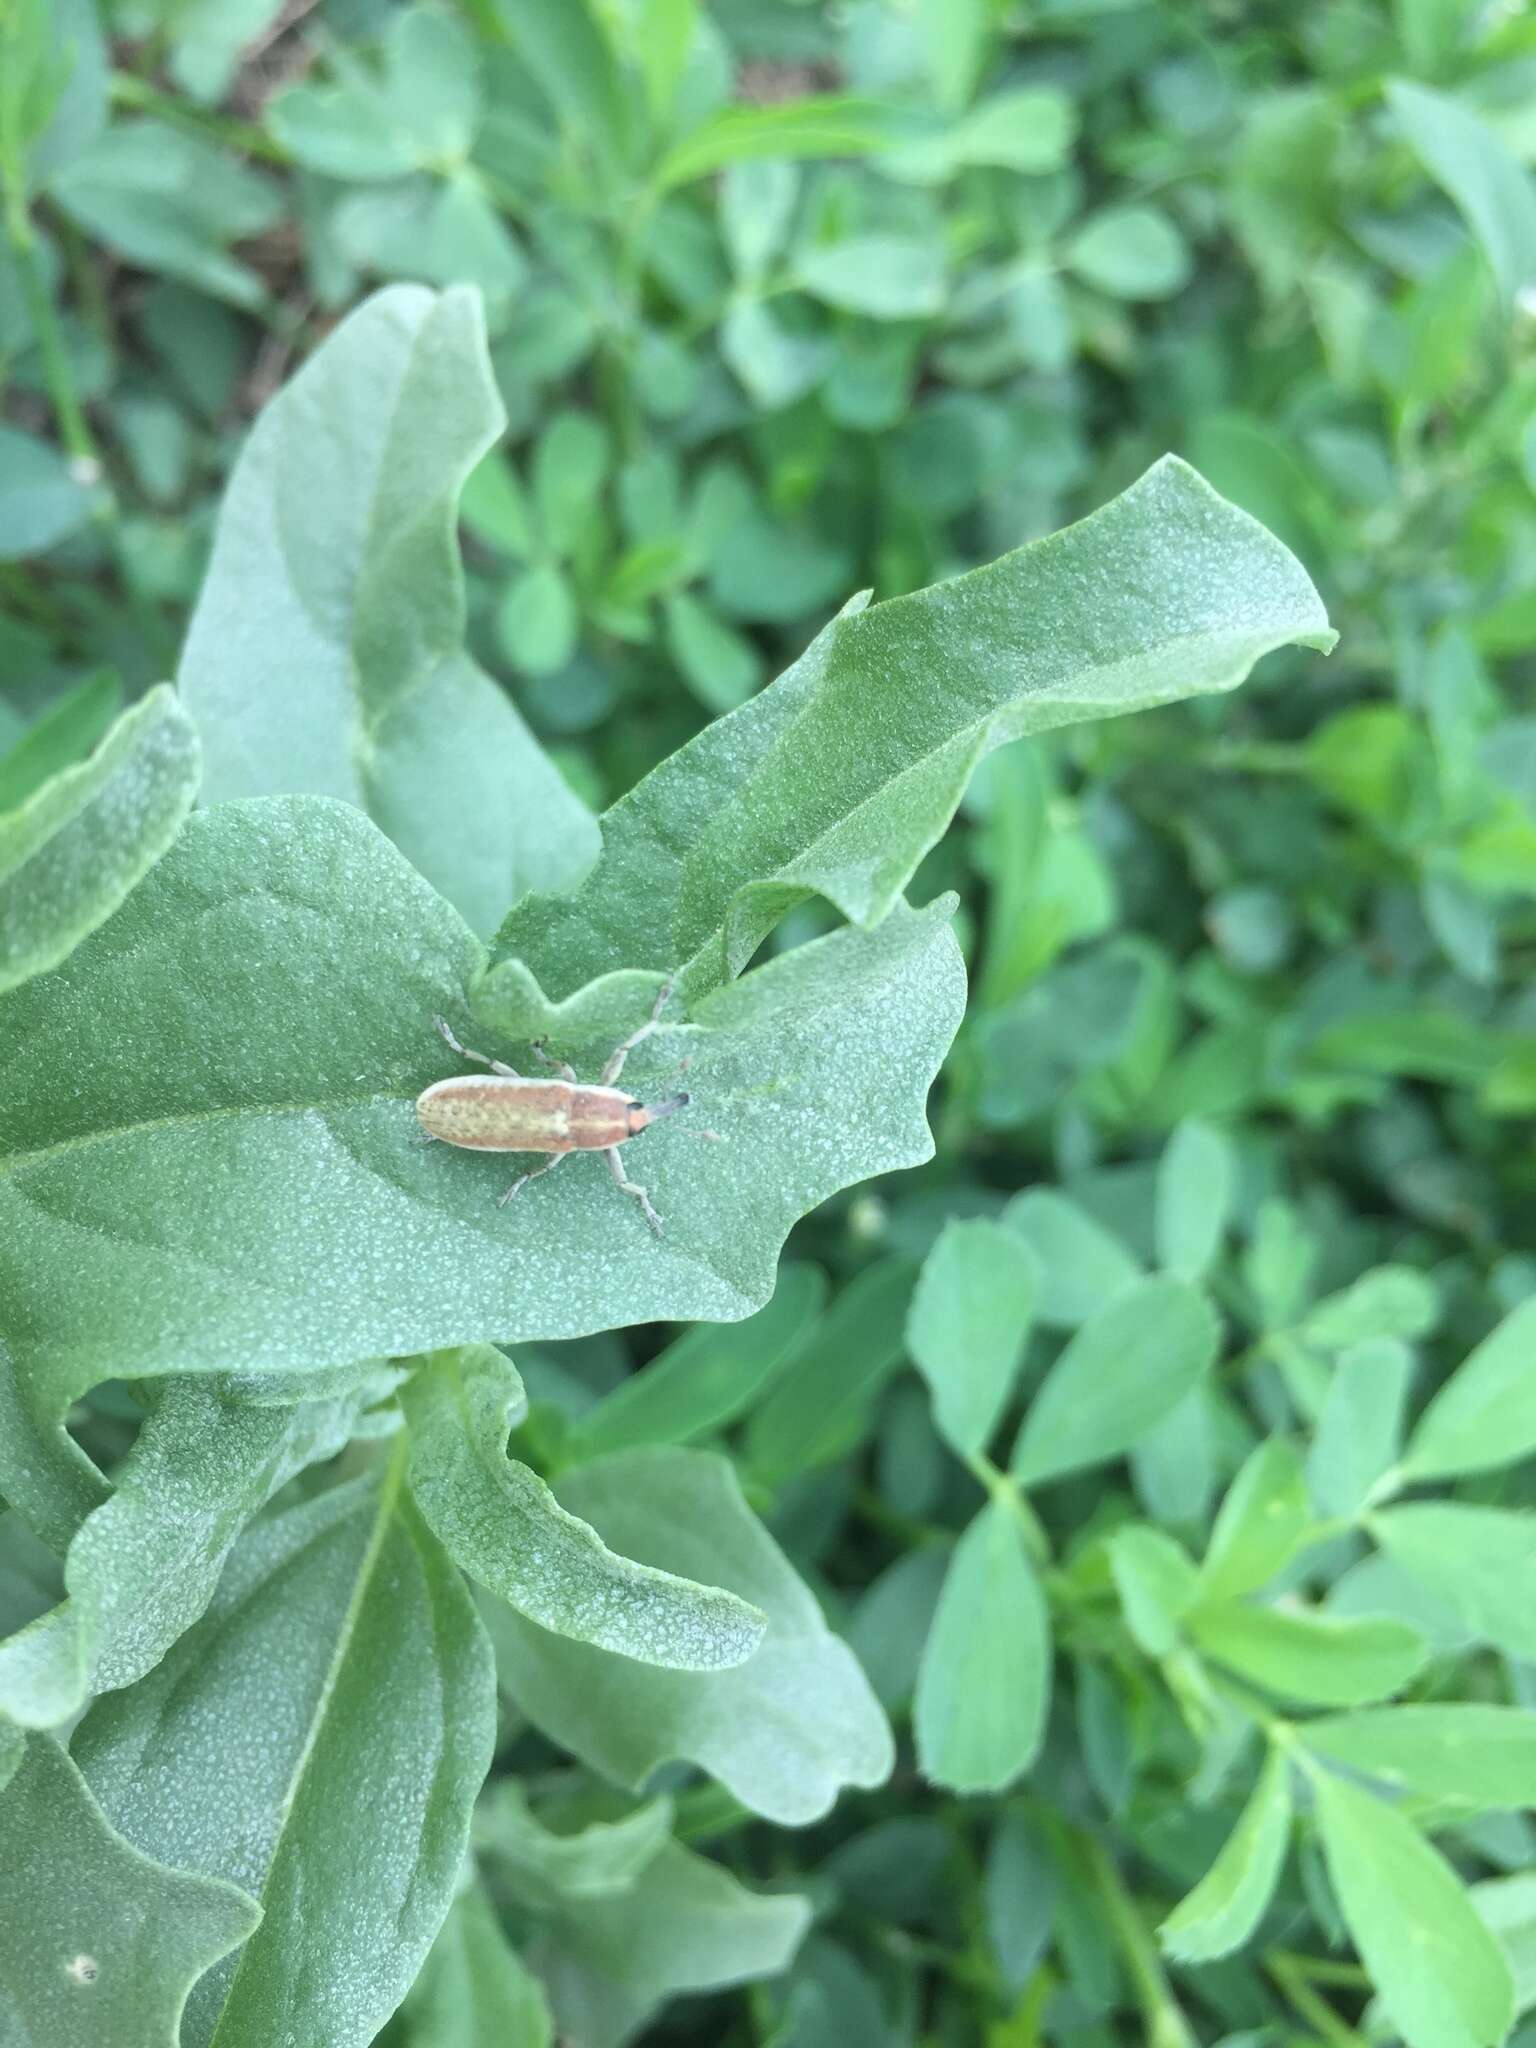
{"points": [[1234, 1150]]}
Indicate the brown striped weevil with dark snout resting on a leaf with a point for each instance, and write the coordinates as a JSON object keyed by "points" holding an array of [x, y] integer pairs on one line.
{"points": [[509, 1111]]}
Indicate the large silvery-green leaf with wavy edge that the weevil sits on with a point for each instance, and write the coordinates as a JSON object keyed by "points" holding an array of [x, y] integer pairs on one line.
{"points": [[234, 1179]]}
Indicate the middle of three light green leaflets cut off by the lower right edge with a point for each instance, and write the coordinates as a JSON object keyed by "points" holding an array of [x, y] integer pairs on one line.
{"points": [[1480, 1562]]}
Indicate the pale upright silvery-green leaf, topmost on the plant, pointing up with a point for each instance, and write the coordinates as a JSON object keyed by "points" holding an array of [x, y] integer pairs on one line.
{"points": [[327, 650]]}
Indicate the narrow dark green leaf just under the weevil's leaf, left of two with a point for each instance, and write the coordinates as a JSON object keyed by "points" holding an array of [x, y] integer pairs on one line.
{"points": [[706, 1379]]}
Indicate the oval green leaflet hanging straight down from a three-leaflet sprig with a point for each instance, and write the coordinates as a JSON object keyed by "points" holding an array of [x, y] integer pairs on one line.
{"points": [[984, 1684]]}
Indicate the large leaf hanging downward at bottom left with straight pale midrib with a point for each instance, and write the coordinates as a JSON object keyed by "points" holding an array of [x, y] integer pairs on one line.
{"points": [[343, 1635]]}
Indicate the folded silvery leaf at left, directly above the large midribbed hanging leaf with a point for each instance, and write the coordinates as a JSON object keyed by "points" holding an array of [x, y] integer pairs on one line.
{"points": [[144, 1566]]}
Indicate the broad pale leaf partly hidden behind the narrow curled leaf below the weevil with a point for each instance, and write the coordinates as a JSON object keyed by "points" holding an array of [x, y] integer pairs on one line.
{"points": [[783, 1732]]}
